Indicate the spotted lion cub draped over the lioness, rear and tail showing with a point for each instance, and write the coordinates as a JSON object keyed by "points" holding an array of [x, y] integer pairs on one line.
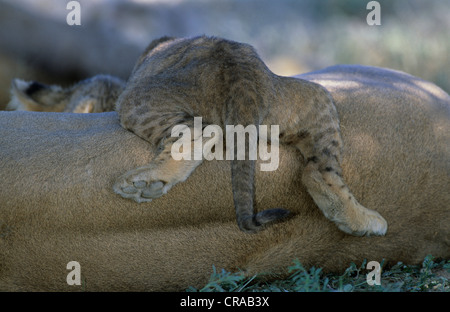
{"points": [[226, 83]]}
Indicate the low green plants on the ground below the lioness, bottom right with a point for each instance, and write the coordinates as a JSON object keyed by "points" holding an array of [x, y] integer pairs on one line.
{"points": [[429, 276]]}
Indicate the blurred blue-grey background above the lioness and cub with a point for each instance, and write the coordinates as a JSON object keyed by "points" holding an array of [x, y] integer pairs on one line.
{"points": [[291, 36]]}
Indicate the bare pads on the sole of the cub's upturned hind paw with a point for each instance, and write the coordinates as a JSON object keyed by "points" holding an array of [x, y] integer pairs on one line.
{"points": [[139, 191]]}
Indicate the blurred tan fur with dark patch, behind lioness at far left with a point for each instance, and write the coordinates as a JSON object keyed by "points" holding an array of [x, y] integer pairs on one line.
{"points": [[93, 95]]}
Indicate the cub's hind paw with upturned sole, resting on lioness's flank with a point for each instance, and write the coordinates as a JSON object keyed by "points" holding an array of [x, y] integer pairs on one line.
{"points": [[140, 185]]}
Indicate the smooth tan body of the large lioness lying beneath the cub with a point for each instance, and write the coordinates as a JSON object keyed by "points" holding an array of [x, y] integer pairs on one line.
{"points": [[57, 204]]}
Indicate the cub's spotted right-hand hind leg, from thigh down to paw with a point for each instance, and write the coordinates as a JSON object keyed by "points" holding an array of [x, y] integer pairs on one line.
{"points": [[320, 142]]}
